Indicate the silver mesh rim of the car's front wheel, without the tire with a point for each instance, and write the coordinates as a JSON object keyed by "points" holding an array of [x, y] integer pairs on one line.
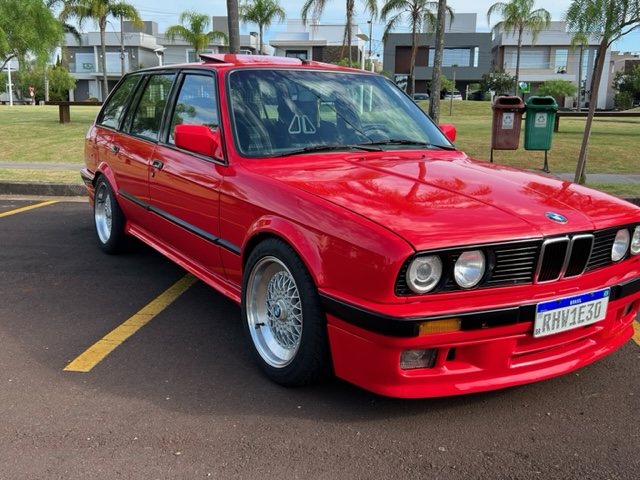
{"points": [[274, 312]]}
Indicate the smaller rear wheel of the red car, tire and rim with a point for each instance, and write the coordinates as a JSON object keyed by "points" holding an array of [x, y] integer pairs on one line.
{"points": [[109, 220]]}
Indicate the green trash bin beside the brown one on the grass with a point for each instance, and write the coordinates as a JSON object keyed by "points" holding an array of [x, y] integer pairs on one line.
{"points": [[538, 124]]}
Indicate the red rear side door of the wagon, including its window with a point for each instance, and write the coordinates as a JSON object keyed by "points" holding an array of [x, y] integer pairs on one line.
{"points": [[133, 147]]}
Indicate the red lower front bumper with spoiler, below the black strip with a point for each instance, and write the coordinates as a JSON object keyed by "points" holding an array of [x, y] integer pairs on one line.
{"points": [[480, 359]]}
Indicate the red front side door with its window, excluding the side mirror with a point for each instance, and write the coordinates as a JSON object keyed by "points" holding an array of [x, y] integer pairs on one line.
{"points": [[184, 186]]}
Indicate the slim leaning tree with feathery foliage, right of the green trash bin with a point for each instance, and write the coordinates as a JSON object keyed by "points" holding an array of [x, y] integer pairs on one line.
{"points": [[608, 21]]}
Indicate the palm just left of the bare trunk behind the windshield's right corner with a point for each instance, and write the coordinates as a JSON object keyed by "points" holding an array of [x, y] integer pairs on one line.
{"points": [[419, 15]]}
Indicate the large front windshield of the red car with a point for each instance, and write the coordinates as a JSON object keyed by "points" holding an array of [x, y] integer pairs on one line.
{"points": [[285, 112]]}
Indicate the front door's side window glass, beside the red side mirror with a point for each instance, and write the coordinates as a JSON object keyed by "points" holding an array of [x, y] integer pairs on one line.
{"points": [[196, 105]]}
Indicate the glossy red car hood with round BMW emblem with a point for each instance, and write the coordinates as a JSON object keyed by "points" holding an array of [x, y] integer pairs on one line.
{"points": [[443, 199]]}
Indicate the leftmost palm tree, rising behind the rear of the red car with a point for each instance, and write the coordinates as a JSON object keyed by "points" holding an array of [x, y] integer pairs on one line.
{"points": [[99, 11]]}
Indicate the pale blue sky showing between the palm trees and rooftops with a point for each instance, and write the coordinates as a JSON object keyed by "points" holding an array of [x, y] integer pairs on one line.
{"points": [[166, 12]]}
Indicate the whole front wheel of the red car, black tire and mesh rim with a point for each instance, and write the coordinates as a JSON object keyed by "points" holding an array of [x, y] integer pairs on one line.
{"points": [[282, 317]]}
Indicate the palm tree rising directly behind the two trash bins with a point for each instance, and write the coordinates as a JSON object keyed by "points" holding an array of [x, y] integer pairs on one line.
{"points": [[518, 16]]}
